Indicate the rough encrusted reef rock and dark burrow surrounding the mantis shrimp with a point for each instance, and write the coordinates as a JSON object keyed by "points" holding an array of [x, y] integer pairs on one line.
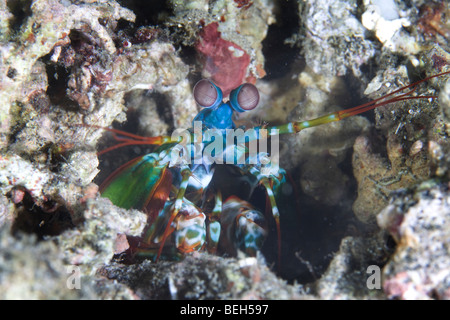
{"points": [[366, 211]]}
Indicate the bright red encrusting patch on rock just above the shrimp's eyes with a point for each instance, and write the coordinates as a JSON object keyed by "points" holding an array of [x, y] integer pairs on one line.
{"points": [[224, 61]]}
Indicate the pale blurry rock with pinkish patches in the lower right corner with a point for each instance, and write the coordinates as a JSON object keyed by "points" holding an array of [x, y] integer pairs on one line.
{"points": [[419, 268]]}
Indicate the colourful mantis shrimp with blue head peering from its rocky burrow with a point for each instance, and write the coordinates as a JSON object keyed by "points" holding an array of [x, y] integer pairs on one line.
{"points": [[186, 211]]}
